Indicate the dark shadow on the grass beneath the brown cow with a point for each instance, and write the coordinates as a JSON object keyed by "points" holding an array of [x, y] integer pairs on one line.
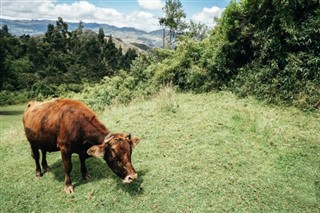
{"points": [[98, 170]]}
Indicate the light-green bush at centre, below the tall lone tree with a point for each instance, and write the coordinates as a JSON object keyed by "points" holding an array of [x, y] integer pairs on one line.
{"points": [[185, 68]]}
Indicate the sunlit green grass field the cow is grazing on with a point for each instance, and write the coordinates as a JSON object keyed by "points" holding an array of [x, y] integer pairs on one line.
{"points": [[198, 153]]}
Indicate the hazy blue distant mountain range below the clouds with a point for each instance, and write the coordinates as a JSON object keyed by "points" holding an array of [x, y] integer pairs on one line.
{"points": [[128, 35]]}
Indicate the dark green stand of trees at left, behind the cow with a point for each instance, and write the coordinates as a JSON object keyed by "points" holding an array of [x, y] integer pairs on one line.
{"points": [[58, 61]]}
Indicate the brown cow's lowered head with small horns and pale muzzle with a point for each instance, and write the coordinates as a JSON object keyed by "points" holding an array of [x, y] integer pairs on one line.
{"points": [[116, 151]]}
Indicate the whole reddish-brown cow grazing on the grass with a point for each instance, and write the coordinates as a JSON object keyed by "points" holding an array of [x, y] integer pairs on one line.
{"points": [[69, 126]]}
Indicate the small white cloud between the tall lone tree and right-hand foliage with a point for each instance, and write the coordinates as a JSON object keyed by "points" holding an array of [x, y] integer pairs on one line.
{"points": [[206, 16]]}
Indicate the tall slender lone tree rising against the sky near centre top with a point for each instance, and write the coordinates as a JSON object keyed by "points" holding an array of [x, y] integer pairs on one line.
{"points": [[173, 21]]}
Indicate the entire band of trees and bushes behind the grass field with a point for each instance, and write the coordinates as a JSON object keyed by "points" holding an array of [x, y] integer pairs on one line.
{"points": [[267, 49]]}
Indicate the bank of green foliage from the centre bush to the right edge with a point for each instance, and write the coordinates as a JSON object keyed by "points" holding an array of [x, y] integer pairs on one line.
{"points": [[270, 49]]}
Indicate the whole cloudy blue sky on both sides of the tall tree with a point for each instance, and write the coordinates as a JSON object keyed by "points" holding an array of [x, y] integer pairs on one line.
{"points": [[140, 14]]}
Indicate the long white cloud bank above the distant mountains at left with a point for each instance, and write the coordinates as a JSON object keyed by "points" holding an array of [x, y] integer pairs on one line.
{"points": [[81, 10]]}
